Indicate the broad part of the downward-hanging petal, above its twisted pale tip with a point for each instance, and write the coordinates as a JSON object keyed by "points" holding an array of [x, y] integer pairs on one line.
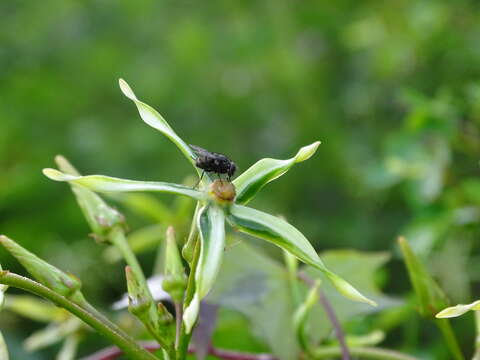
{"points": [[211, 225]]}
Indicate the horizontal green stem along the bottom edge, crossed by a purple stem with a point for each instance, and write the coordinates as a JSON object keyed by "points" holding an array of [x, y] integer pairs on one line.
{"points": [[362, 352]]}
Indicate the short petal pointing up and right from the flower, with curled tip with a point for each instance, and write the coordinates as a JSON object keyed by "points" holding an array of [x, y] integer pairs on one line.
{"points": [[249, 183]]}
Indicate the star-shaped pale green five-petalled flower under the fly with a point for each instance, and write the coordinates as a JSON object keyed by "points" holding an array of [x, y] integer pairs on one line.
{"points": [[219, 201]]}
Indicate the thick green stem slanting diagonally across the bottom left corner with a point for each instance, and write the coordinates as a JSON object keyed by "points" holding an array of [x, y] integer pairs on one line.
{"points": [[127, 344]]}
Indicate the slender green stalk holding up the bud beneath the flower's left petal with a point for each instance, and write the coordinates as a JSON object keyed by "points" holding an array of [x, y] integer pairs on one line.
{"points": [[117, 237]]}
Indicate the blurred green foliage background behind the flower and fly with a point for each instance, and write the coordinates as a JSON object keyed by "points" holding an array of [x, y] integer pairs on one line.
{"points": [[391, 89]]}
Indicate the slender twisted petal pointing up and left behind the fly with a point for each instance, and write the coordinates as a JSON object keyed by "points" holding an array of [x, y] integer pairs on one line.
{"points": [[155, 120]]}
